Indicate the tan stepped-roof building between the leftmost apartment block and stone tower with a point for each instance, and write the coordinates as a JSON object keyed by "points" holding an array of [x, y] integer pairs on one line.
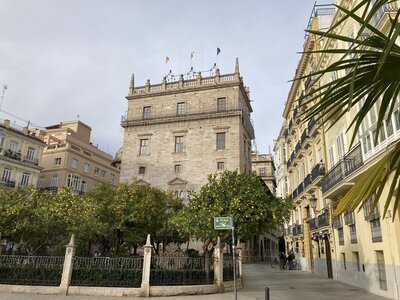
{"points": [[71, 160]]}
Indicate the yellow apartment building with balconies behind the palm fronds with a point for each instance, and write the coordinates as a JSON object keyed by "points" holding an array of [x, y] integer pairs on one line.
{"points": [[359, 248]]}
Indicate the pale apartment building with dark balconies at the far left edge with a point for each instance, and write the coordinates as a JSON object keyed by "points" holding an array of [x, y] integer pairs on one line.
{"points": [[20, 155]]}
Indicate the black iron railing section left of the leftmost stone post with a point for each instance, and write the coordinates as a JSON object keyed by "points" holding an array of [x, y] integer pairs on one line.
{"points": [[31, 270]]}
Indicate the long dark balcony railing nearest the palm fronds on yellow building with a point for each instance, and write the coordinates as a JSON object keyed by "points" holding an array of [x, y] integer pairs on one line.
{"points": [[346, 166]]}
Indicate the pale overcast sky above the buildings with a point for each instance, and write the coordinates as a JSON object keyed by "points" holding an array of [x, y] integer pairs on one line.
{"points": [[61, 59]]}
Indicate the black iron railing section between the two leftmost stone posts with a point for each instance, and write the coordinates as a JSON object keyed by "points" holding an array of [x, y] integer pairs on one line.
{"points": [[107, 272]]}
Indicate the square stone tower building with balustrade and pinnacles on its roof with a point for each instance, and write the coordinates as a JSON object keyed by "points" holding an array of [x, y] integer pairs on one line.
{"points": [[179, 131]]}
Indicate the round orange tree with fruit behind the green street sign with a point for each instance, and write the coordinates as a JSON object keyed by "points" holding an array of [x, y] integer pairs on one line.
{"points": [[243, 197]]}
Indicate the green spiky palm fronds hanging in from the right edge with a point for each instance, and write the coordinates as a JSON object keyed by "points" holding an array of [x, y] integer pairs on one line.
{"points": [[373, 76]]}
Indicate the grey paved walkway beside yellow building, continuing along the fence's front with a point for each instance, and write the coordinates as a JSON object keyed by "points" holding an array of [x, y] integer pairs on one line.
{"points": [[283, 284]]}
